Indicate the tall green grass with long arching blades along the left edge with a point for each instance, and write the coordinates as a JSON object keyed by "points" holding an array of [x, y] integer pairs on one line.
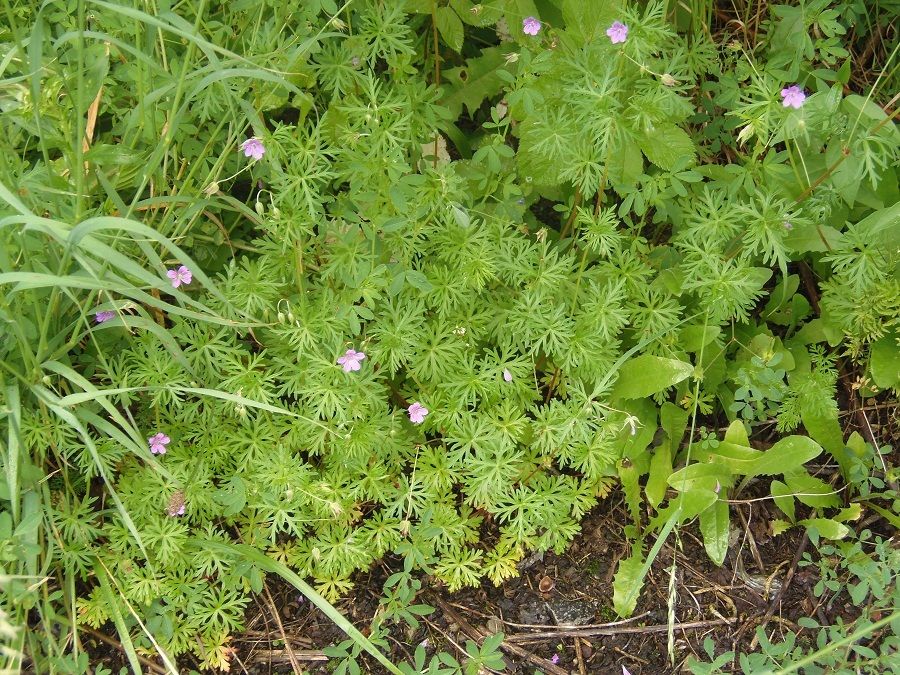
{"points": [[63, 257]]}
